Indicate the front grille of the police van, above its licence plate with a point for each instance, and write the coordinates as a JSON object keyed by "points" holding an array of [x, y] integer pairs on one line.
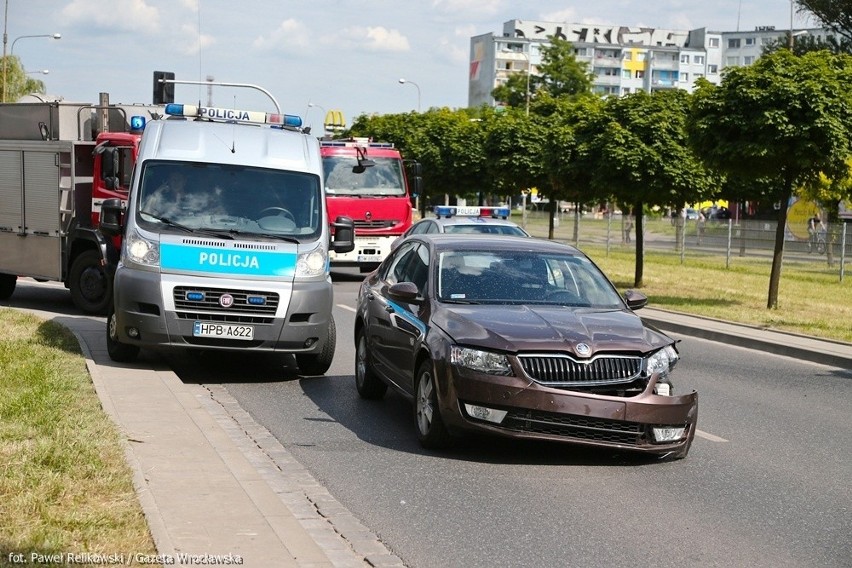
{"points": [[241, 311]]}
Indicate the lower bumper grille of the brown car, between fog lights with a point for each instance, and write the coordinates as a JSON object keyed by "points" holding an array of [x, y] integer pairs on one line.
{"points": [[577, 427]]}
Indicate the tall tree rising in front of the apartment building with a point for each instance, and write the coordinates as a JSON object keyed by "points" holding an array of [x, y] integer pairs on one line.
{"points": [[560, 73]]}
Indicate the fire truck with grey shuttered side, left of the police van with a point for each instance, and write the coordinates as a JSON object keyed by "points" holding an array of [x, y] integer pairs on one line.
{"points": [[58, 162]]}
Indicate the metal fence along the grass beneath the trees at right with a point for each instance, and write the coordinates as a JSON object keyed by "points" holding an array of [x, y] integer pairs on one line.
{"points": [[753, 239]]}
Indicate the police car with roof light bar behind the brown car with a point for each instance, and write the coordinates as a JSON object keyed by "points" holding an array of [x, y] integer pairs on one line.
{"points": [[465, 220]]}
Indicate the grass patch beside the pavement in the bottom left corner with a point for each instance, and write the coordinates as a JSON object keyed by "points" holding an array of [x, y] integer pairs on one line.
{"points": [[65, 486]]}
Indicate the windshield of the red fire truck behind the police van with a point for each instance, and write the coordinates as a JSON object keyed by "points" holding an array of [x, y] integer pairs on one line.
{"points": [[383, 178]]}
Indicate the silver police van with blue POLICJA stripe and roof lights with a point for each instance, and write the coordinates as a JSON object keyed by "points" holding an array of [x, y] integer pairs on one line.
{"points": [[225, 239]]}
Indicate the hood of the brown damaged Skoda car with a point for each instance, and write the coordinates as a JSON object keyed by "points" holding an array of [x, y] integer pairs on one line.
{"points": [[547, 328]]}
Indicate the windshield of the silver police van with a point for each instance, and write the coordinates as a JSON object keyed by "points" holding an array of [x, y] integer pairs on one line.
{"points": [[229, 198]]}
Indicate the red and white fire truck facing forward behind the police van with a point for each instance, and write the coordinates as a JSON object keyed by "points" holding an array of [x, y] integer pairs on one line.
{"points": [[371, 183]]}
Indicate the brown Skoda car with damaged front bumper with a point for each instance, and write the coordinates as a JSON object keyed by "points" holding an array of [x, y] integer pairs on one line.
{"points": [[518, 337]]}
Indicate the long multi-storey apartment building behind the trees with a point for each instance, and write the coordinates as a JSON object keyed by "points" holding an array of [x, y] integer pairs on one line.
{"points": [[622, 59]]}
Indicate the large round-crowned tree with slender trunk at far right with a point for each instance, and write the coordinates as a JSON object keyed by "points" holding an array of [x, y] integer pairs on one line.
{"points": [[784, 118]]}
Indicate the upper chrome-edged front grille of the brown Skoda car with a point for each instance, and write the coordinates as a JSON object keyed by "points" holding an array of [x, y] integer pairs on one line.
{"points": [[565, 371]]}
